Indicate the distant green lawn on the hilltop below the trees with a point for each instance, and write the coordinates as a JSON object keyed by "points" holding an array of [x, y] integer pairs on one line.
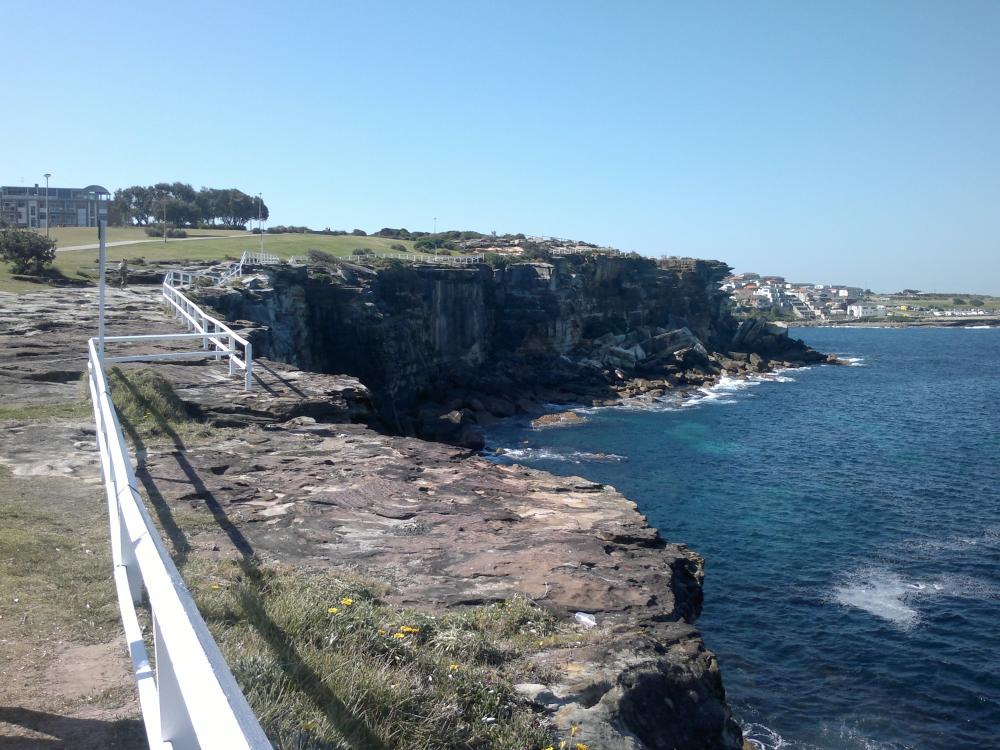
{"points": [[77, 264]]}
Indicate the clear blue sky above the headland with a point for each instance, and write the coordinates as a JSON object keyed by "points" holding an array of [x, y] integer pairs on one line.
{"points": [[852, 142]]}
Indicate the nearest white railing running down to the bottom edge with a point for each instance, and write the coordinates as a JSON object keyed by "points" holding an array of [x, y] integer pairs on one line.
{"points": [[189, 698]]}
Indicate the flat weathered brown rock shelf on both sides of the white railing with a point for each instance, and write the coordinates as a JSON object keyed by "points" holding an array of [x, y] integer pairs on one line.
{"points": [[295, 477]]}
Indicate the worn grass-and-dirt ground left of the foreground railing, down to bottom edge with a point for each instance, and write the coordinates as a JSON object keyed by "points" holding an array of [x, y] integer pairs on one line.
{"points": [[65, 678]]}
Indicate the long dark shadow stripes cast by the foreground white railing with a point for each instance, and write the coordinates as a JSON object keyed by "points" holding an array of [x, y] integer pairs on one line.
{"points": [[308, 681]]}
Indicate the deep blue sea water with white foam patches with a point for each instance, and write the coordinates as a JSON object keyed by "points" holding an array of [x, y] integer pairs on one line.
{"points": [[850, 519]]}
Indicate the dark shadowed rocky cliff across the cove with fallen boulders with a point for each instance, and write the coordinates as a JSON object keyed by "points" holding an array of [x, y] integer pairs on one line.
{"points": [[444, 350]]}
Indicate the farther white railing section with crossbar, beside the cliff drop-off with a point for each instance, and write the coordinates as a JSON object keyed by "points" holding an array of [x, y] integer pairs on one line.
{"points": [[217, 338]]}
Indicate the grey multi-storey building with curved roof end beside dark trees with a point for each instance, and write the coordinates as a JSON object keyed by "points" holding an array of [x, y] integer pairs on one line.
{"points": [[67, 207]]}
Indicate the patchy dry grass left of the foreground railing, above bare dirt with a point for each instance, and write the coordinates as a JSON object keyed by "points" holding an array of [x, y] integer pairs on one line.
{"points": [[55, 562]]}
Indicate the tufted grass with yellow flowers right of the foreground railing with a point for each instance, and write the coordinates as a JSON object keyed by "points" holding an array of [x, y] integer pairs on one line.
{"points": [[326, 664]]}
